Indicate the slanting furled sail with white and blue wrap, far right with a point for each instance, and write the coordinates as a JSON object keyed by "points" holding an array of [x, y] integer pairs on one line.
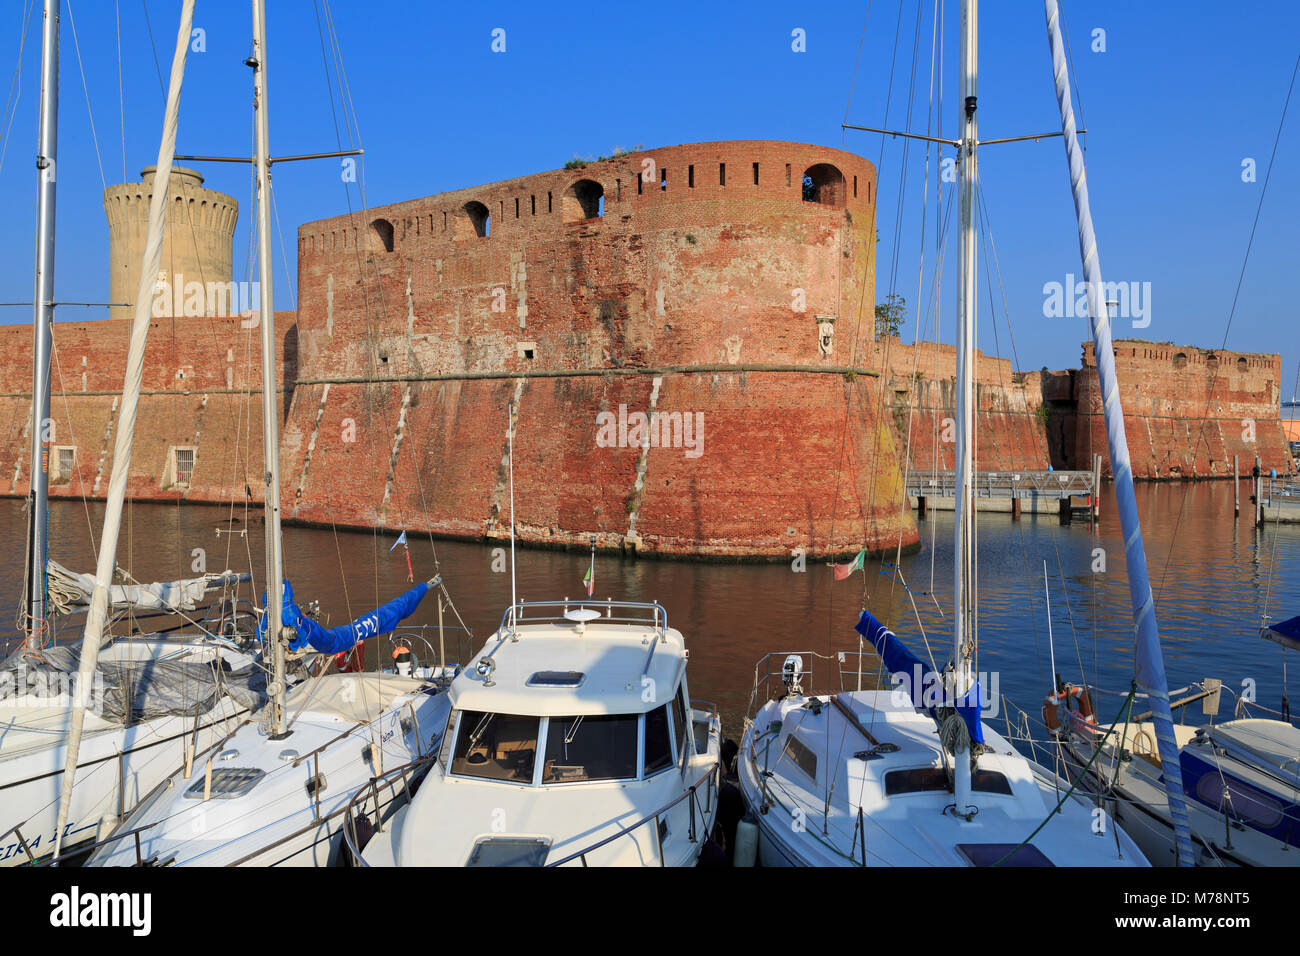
{"points": [[1151, 663]]}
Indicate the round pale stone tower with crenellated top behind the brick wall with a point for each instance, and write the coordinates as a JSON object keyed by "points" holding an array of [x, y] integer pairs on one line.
{"points": [[194, 276]]}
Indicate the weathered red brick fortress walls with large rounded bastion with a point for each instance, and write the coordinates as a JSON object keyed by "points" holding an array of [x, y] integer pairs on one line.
{"points": [[727, 287]]}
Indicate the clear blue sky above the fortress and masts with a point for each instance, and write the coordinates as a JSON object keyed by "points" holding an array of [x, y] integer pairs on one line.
{"points": [[1181, 97]]}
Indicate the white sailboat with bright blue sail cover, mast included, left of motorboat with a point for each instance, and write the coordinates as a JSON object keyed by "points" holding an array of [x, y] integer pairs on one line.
{"points": [[272, 791]]}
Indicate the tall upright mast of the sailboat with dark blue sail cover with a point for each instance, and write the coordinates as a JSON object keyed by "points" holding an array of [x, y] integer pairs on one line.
{"points": [[964, 526]]}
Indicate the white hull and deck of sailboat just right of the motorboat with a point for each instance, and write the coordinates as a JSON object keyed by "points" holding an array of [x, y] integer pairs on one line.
{"points": [[869, 821]]}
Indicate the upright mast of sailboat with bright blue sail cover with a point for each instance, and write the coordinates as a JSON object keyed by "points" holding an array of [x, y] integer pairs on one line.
{"points": [[270, 412]]}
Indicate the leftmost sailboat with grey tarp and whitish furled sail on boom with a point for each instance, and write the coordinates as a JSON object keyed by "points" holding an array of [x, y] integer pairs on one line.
{"points": [[158, 699]]}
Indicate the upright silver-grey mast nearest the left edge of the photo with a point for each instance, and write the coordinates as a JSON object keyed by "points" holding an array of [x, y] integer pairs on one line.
{"points": [[44, 304]]}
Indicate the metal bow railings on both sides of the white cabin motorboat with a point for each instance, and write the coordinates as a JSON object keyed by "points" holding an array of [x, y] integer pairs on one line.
{"points": [[411, 775]]}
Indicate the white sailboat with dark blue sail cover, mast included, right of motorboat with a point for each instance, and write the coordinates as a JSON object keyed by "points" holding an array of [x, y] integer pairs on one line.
{"points": [[863, 778]]}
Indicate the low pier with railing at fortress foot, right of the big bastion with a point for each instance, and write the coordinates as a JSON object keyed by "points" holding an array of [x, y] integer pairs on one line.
{"points": [[1012, 492]]}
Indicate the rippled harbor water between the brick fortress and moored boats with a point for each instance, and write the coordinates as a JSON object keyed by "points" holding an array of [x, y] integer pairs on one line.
{"points": [[1215, 578]]}
